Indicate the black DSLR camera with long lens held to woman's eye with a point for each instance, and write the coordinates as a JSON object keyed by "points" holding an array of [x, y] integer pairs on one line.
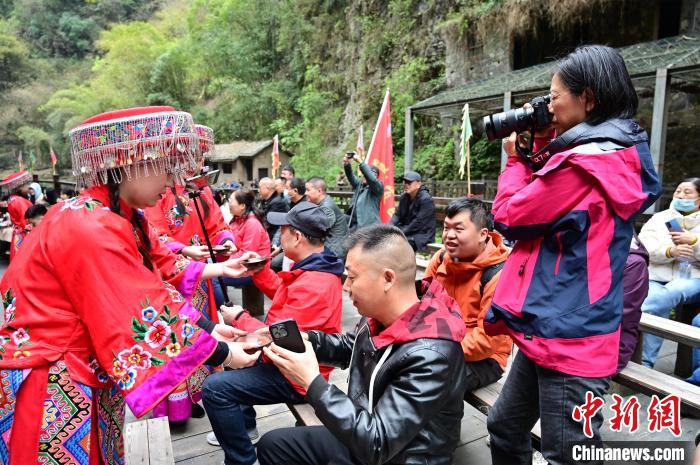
{"points": [[500, 125]]}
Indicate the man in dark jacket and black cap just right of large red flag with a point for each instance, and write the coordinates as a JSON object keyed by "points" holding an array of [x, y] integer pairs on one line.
{"points": [[415, 215]]}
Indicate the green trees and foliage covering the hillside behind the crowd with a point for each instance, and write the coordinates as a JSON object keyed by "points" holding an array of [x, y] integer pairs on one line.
{"points": [[309, 71]]}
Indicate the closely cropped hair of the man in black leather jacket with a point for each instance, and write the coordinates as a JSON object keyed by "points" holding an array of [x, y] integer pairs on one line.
{"points": [[388, 248]]}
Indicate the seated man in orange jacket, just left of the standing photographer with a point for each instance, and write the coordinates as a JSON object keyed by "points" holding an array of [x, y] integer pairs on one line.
{"points": [[468, 268]]}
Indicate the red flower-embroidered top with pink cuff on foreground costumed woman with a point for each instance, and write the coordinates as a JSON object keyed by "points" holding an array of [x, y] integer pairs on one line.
{"points": [[82, 293]]}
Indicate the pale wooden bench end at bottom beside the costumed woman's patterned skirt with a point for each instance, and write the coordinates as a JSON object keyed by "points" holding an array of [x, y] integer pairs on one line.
{"points": [[147, 442]]}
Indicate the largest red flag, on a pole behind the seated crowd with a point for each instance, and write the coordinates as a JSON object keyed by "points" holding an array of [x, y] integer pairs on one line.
{"points": [[381, 155]]}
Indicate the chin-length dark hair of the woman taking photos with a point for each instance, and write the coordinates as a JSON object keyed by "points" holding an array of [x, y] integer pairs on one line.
{"points": [[602, 70]]}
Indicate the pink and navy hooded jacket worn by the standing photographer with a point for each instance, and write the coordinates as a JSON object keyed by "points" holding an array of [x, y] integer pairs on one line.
{"points": [[560, 292]]}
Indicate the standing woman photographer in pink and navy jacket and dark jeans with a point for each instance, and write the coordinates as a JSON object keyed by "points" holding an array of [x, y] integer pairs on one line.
{"points": [[570, 205]]}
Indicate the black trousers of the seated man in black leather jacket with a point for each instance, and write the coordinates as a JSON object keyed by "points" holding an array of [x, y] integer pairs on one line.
{"points": [[303, 445]]}
